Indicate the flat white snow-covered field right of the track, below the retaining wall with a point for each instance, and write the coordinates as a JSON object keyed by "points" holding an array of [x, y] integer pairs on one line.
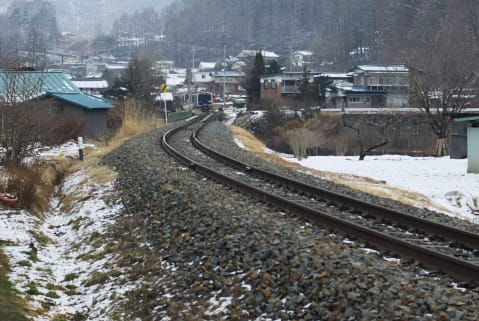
{"points": [[443, 180]]}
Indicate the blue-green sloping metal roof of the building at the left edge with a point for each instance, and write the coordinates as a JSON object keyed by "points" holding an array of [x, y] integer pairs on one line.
{"points": [[33, 84]]}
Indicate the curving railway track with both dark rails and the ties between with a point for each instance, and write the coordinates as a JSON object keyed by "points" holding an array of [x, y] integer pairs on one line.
{"points": [[439, 247]]}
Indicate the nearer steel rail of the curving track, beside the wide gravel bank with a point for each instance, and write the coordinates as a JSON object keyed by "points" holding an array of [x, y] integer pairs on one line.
{"points": [[457, 268]]}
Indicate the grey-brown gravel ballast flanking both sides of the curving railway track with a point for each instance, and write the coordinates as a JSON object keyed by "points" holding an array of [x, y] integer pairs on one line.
{"points": [[207, 252]]}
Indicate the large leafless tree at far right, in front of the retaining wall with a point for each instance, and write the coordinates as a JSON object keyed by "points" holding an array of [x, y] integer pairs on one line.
{"points": [[443, 78]]}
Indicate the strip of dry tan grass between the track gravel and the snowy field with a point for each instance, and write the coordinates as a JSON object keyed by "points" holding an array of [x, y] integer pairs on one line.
{"points": [[365, 184]]}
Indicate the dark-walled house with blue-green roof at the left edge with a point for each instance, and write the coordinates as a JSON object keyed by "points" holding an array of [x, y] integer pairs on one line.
{"points": [[61, 95]]}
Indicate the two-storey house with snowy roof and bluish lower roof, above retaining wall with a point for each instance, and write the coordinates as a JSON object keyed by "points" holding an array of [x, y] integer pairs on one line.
{"points": [[371, 86]]}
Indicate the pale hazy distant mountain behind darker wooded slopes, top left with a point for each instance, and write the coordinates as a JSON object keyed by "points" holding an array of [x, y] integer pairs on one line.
{"points": [[94, 16]]}
